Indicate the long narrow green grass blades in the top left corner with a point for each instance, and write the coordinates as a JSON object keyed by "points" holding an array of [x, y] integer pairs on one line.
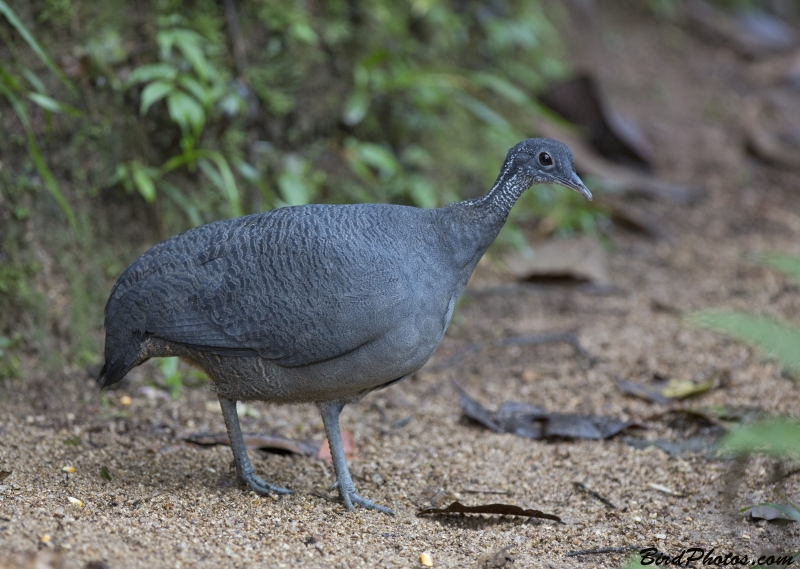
{"points": [[15, 92]]}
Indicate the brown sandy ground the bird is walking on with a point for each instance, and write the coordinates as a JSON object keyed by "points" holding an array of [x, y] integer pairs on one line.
{"points": [[174, 504]]}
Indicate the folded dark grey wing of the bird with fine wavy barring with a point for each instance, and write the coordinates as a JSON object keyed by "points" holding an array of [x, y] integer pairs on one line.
{"points": [[287, 292]]}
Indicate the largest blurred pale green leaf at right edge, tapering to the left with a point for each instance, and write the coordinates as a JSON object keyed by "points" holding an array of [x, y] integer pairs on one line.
{"points": [[776, 339]]}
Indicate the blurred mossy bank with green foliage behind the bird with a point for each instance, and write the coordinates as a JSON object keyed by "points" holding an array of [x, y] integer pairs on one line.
{"points": [[126, 122]]}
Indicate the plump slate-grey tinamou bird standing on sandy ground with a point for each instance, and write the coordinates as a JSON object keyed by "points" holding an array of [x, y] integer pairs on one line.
{"points": [[316, 303]]}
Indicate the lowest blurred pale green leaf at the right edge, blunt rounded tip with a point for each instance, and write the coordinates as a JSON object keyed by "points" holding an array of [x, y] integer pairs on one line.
{"points": [[777, 438]]}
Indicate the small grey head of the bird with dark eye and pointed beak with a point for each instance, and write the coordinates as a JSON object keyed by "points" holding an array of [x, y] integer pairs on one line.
{"points": [[545, 161]]}
